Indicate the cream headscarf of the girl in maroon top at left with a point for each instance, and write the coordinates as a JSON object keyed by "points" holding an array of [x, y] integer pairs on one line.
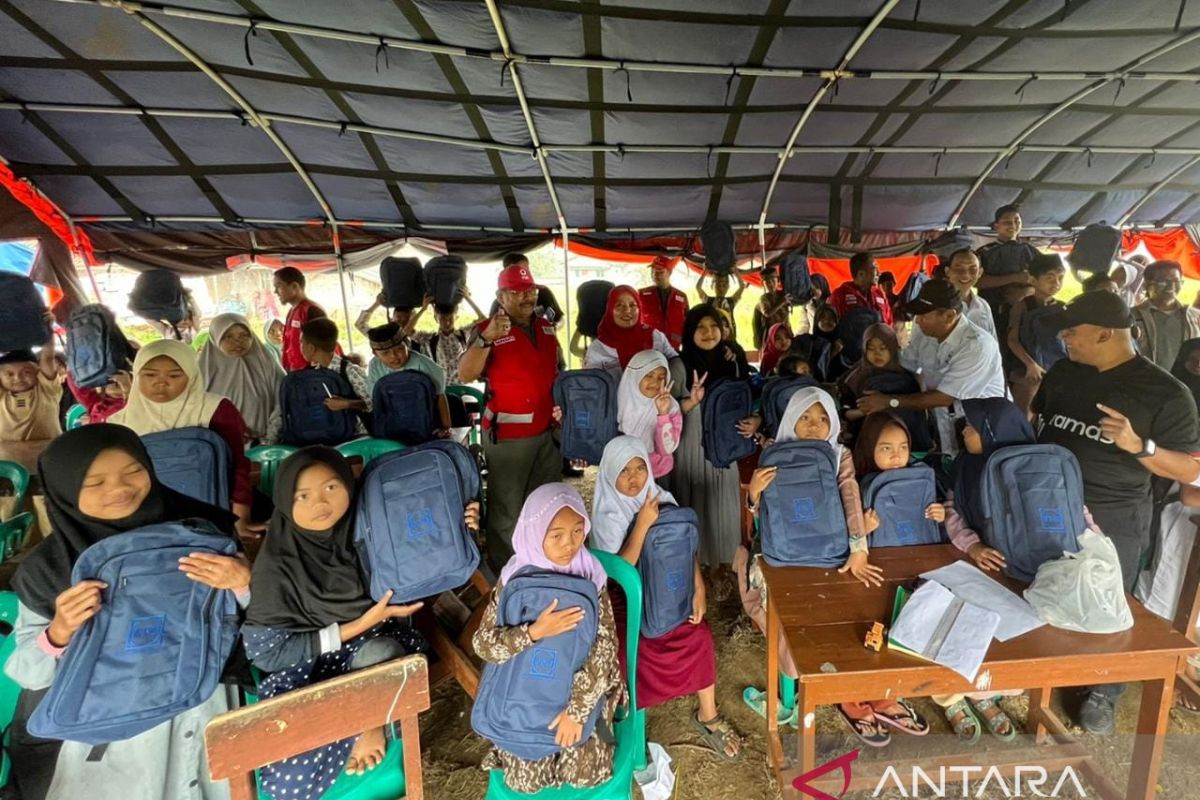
{"points": [[194, 408]]}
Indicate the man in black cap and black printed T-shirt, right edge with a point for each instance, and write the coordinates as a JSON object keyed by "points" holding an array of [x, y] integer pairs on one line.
{"points": [[1125, 420]]}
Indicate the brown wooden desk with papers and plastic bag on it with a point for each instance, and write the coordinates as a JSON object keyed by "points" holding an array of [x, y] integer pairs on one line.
{"points": [[826, 616]]}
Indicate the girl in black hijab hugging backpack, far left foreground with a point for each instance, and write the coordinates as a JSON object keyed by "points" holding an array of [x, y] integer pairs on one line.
{"points": [[100, 483]]}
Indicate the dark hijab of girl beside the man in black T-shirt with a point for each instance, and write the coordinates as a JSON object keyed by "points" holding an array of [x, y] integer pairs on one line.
{"points": [[1000, 424]]}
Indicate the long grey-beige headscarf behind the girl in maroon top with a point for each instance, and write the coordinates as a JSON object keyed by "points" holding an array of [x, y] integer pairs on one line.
{"points": [[250, 382]]}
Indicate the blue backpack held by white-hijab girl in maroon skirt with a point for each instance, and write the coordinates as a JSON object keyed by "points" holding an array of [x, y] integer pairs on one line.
{"points": [[667, 568]]}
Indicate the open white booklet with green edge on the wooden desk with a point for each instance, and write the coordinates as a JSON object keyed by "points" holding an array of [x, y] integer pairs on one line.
{"points": [[946, 630]]}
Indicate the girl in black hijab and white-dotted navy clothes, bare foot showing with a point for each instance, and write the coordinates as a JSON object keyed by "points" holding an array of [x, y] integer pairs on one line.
{"points": [[313, 618]]}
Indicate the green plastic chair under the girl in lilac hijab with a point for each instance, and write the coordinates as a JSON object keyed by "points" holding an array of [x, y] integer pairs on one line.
{"points": [[629, 731]]}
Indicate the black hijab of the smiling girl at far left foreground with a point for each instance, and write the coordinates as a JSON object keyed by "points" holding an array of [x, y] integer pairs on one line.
{"points": [[46, 573]]}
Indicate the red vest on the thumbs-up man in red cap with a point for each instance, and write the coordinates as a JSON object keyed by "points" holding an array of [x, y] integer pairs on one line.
{"points": [[521, 381]]}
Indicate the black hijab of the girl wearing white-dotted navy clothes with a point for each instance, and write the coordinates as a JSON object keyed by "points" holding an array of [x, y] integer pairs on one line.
{"points": [[308, 580]]}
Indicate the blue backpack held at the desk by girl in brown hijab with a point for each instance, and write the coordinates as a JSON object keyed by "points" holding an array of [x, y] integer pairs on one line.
{"points": [[901, 498]]}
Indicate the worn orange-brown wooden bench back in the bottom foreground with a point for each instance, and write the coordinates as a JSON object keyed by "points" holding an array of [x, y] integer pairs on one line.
{"points": [[247, 739]]}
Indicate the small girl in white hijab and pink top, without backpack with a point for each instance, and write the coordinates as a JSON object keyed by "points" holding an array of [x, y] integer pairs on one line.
{"points": [[647, 411]]}
